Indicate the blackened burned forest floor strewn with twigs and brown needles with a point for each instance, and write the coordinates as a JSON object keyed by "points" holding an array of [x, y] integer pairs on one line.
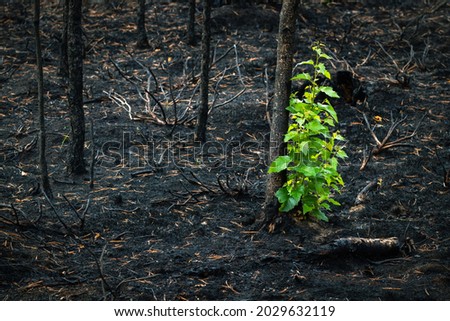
{"points": [[170, 219]]}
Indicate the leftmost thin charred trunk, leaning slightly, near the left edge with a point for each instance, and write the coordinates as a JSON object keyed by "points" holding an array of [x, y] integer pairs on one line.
{"points": [[45, 183]]}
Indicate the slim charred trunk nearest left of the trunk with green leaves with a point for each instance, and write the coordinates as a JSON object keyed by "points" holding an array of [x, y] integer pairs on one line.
{"points": [[202, 119]]}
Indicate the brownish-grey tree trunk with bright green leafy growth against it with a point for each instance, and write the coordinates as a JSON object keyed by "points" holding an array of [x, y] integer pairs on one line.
{"points": [[280, 116]]}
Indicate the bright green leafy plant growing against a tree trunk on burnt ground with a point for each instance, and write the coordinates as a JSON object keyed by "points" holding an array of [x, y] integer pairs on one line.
{"points": [[312, 153]]}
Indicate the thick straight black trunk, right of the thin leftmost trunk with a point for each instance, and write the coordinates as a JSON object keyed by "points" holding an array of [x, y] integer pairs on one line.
{"points": [[75, 93]]}
